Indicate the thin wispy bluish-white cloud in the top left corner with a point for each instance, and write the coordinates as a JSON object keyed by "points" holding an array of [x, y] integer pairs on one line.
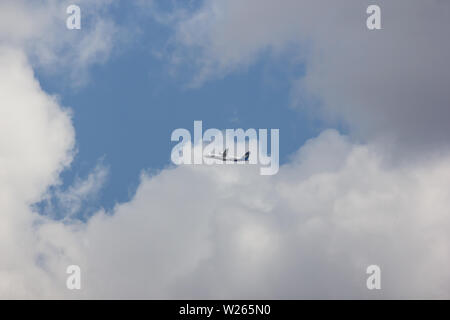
{"points": [[39, 28]]}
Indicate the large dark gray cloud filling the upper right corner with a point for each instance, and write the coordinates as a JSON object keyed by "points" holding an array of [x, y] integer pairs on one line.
{"points": [[390, 84]]}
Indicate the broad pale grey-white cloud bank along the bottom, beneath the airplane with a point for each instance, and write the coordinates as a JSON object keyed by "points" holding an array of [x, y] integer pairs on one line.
{"points": [[227, 232]]}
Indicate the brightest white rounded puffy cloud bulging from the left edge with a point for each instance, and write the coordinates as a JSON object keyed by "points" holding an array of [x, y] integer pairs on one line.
{"points": [[36, 134]]}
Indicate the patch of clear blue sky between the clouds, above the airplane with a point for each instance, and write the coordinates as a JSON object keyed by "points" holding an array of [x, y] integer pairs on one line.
{"points": [[126, 112]]}
